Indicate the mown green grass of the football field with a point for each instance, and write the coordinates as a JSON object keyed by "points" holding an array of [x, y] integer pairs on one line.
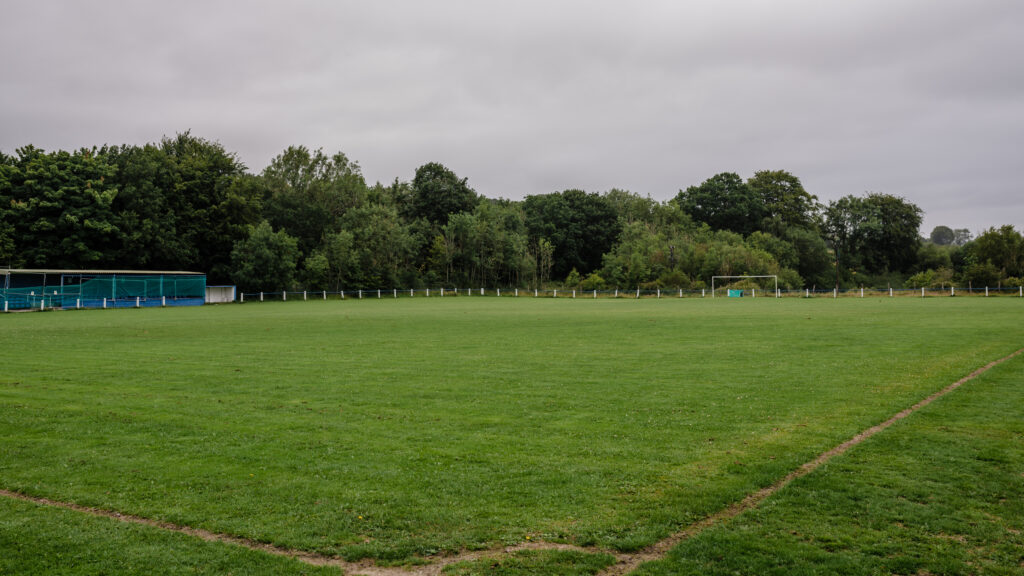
{"points": [[394, 430]]}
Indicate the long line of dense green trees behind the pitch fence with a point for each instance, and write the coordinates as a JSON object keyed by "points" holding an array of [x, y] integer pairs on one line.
{"points": [[311, 221]]}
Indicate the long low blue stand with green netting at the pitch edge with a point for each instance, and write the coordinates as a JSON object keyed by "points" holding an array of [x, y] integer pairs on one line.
{"points": [[22, 289]]}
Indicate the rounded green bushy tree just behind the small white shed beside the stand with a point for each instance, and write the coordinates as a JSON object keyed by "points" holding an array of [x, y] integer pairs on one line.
{"points": [[267, 261]]}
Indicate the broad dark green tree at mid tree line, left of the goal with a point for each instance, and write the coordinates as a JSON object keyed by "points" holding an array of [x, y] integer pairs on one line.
{"points": [[581, 228]]}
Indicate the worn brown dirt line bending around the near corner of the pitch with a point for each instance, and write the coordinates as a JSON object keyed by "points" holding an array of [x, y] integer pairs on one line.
{"points": [[625, 563]]}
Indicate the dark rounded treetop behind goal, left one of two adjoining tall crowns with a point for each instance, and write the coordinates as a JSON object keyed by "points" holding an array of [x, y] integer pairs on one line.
{"points": [[727, 202]]}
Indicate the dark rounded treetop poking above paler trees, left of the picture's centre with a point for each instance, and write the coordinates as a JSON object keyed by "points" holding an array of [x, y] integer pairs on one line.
{"points": [[438, 193]]}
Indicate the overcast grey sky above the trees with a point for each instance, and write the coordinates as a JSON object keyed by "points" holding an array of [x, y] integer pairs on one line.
{"points": [[919, 99]]}
